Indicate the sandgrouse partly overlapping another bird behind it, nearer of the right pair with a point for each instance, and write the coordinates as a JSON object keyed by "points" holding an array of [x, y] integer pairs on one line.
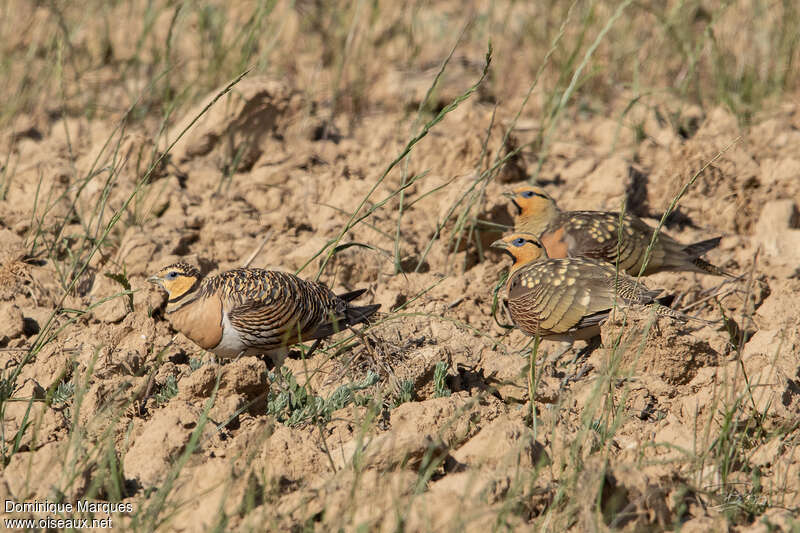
{"points": [[566, 298]]}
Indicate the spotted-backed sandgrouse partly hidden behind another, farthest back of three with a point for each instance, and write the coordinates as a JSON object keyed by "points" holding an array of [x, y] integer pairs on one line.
{"points": [[596, 235]]}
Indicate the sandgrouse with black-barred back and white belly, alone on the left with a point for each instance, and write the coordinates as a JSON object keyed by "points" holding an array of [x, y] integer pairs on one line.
{"points": [[254, 311]]}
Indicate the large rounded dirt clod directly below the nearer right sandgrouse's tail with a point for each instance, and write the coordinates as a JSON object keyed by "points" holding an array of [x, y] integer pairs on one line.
{"points": [[668, 351]]}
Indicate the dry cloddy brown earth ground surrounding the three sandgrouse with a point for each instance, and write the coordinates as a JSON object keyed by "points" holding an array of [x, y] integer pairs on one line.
{"points": [[664, 426]]}
